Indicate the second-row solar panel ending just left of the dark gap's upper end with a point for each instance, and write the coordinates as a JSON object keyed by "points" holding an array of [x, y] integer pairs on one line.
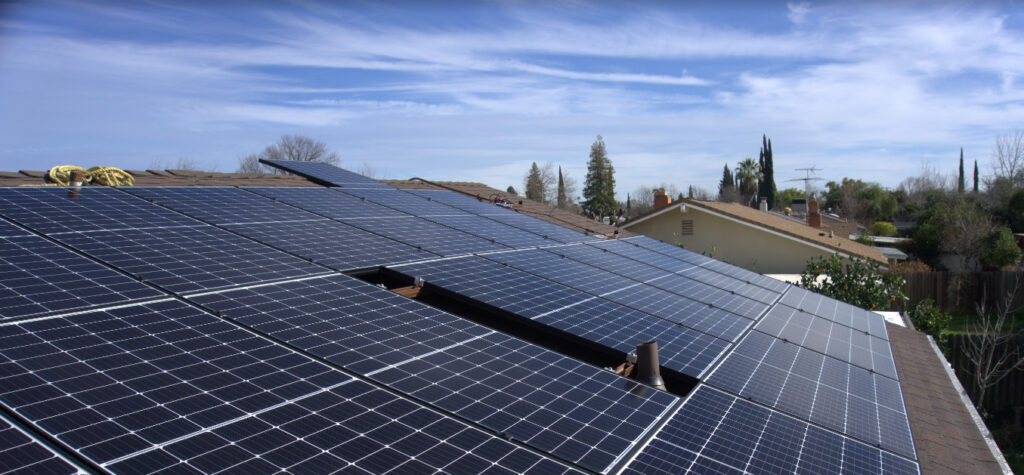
{"points": [[189, 260]]}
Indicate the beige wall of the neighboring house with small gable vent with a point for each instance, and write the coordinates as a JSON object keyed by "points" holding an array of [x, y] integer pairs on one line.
{"points": [[756, 249]]}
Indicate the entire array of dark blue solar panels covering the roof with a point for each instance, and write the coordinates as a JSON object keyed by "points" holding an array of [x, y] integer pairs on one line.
{"points": [[210, 330]]}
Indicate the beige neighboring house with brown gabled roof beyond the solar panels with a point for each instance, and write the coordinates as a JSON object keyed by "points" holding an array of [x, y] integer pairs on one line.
{"points": [[746, 237]]}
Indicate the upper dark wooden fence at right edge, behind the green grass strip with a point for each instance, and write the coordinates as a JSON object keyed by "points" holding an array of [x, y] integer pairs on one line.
{"points": [[962, 293]]}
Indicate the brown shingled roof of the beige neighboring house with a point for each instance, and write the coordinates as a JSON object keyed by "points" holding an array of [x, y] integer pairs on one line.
{"points": [[769, 222]]}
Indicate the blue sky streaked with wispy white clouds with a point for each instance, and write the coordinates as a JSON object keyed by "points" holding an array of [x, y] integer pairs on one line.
{"points": [[478, 92]]}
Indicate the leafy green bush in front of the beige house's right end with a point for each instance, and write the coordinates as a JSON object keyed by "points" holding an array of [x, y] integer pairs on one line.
{"points": [[854, 281]]}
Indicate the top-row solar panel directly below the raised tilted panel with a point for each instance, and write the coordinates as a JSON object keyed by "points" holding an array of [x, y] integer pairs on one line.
{"points": [[328, 203]]}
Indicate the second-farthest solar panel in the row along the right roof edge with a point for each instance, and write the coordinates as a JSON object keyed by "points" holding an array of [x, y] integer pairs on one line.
{"points": [[828, 337]]}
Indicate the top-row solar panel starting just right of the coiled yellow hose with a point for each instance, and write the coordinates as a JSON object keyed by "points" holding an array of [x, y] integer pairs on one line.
{"points": [[223, 206]]}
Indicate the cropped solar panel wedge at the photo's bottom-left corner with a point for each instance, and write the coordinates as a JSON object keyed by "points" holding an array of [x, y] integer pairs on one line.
{"points": [[23, 454]]}
